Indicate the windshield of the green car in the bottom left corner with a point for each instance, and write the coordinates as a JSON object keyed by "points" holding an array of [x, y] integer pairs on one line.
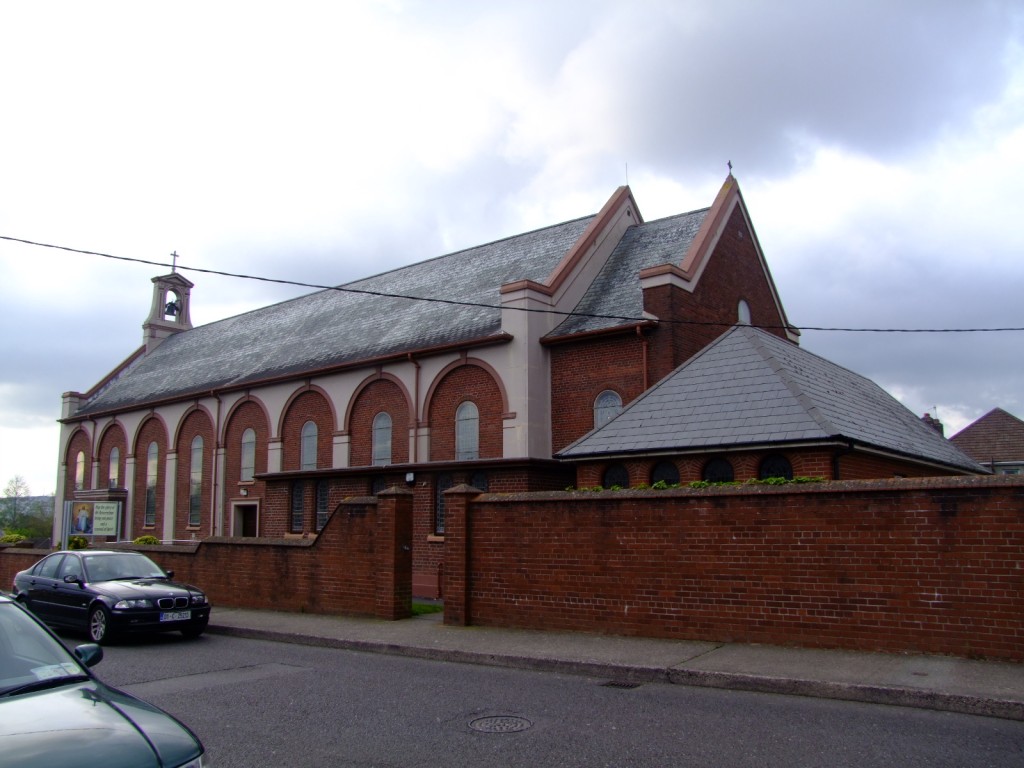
{"points": [[30, 658]]}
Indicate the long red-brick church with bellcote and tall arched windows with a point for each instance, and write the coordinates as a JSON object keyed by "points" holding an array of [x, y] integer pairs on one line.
{"points": [[478, 367]]}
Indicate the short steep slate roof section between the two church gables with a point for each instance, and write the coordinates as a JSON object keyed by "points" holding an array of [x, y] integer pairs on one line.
{"points": [[617, 290]]}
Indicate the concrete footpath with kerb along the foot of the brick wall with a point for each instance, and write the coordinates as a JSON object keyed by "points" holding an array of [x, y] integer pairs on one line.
{"points": [[987, 689]]}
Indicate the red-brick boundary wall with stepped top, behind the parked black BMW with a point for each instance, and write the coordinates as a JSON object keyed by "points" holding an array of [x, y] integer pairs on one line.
{"points": [[361, 564]]}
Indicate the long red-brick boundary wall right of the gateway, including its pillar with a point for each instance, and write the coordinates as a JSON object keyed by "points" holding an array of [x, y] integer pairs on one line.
{"points": [[931, 566]]}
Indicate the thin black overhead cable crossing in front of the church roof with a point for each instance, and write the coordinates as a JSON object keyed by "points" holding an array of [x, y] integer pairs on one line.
{"points": [[349, 289]]}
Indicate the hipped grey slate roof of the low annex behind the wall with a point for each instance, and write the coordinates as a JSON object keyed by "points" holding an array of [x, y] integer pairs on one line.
{"points": [[750, 388]]}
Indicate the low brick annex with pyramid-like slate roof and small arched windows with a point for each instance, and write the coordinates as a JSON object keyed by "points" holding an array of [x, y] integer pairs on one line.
{"points": [[751, 406]]}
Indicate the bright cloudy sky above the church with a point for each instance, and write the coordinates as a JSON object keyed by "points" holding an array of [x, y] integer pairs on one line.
{"points": [[879, 147]]}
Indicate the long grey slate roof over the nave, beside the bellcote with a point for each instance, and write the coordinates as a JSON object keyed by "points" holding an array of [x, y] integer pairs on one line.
{"points": [[332, 328]]}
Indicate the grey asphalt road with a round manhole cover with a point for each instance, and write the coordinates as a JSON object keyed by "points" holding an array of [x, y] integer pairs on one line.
{"points": [[261, 704]]}
